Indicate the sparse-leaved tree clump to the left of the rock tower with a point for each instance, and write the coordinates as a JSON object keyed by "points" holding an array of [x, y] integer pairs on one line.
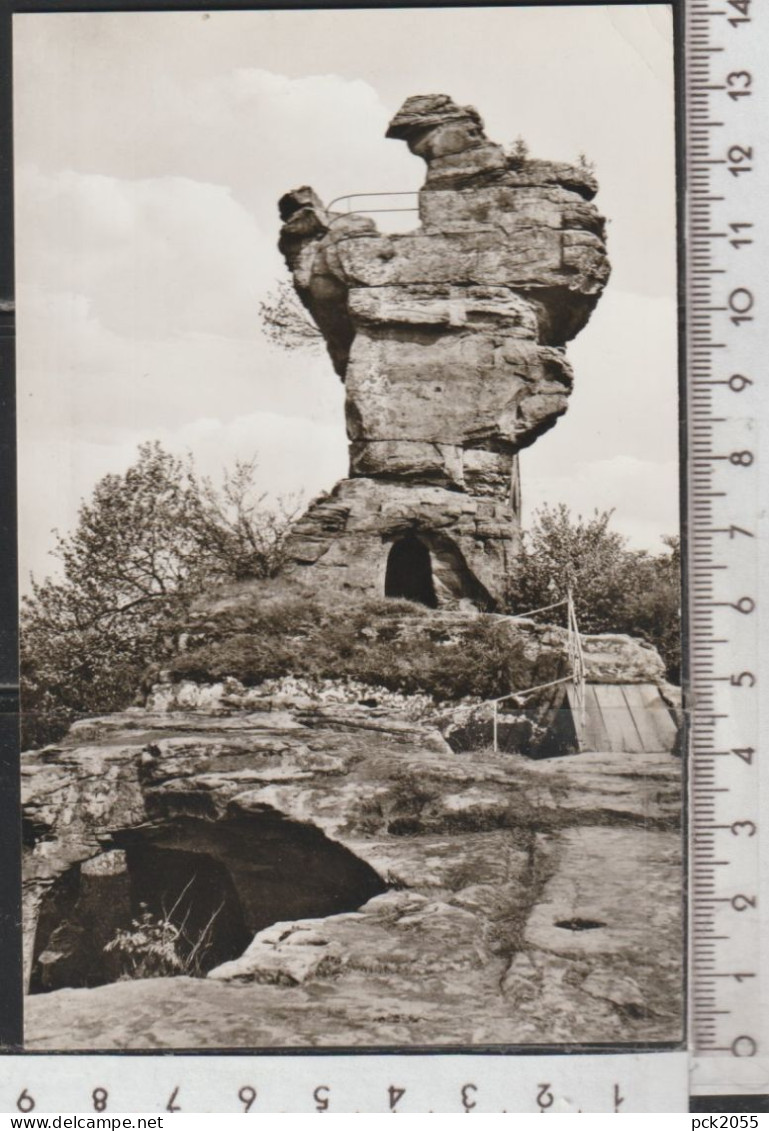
{"points": [[145, 547]]}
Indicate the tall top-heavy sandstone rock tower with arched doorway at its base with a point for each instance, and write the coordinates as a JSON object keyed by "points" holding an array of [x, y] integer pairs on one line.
{"points": [[451, 341]]}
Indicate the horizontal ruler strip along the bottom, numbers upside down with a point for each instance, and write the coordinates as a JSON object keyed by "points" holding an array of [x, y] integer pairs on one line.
{"points": [[629, 1083]]}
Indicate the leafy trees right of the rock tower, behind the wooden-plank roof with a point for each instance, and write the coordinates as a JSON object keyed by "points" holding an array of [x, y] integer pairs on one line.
{"points": [[616, 590]]}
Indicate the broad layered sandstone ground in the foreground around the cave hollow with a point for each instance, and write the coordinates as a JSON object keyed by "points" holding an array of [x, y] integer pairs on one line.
{"points": [[514, 902]]}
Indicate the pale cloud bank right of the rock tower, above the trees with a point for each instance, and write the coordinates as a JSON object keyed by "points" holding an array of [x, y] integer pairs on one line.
{"points": [[618, 445]]}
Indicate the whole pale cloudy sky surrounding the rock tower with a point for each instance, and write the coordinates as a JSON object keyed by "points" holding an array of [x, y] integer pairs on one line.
{"points": [[151, 151]]}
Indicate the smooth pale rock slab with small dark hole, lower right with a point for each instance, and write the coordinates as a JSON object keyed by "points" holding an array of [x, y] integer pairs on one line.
{"points": [[603, 948]]}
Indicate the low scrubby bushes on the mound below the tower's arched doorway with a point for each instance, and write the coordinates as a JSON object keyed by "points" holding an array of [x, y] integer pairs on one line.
{"points": [[267, 637]]}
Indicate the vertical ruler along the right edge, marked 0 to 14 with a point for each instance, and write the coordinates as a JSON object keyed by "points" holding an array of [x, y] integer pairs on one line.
{"points": [[727, 55]]}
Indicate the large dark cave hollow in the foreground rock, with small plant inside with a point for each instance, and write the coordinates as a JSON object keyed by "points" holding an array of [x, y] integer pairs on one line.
{"points": [[214, 886]]}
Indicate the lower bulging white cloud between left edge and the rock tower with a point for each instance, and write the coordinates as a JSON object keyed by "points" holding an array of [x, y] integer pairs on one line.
{"points": [[157, 258]]}
